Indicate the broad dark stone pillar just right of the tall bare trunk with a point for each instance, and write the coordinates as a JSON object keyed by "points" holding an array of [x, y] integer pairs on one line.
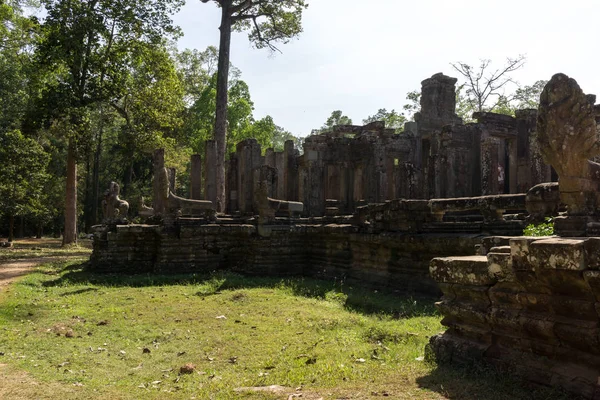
{"points": [[249, 158]]}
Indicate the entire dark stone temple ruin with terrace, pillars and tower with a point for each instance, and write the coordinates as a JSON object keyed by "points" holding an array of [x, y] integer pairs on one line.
{"points": [[437, 209]]}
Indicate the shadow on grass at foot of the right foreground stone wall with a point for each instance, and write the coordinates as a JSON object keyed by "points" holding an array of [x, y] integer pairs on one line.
{"points": [[480, 381]]}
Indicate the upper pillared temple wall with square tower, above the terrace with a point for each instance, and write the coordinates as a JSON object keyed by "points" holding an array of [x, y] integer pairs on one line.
{"points": [[437, 156]]}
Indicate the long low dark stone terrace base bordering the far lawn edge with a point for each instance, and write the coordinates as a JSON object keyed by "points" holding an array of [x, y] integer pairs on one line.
{"points": [[328, 251]]}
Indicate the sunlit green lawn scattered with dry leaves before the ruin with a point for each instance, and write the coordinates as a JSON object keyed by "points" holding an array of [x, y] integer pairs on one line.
{"points": [[65, 333]]}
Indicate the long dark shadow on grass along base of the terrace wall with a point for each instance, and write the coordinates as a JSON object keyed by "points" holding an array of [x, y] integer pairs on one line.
{"points": [[352, 297]]}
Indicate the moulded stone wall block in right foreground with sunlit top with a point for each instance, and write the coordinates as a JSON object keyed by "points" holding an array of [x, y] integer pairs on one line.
{"points": [[530, 305]]}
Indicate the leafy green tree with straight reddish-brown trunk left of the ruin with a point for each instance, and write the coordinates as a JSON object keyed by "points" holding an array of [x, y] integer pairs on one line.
{"points": [[88, 42]]}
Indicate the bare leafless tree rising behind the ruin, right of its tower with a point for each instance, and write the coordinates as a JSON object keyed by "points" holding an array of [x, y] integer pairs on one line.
{"points": [[485, 86]]}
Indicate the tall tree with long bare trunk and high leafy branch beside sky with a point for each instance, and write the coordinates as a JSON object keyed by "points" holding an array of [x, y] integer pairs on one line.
{"points": [[268, 22]]}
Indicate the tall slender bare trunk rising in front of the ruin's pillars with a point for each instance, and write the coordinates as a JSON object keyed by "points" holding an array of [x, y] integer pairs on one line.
{"points": [[221, 112]]}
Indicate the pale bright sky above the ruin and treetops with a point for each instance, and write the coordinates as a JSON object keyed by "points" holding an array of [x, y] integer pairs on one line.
{"points": [[359, 56]]}
